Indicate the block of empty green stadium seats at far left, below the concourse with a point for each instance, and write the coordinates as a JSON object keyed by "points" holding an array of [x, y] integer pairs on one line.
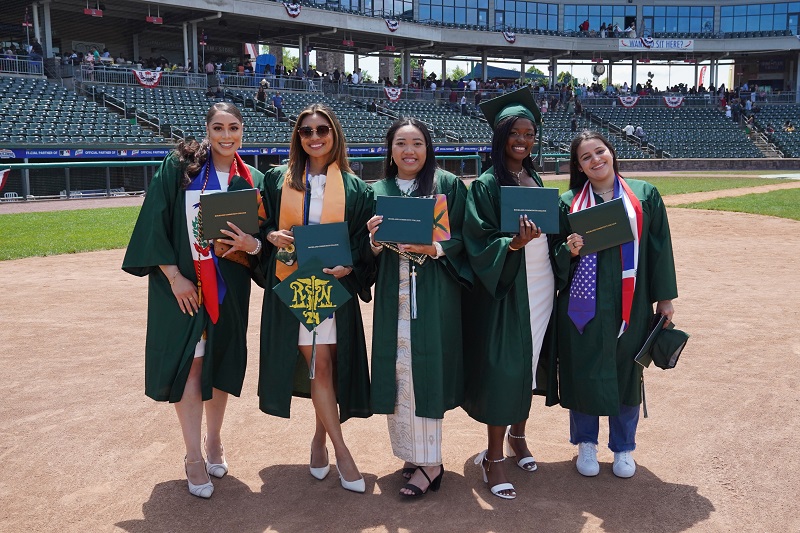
{"points": [[34, 111]]}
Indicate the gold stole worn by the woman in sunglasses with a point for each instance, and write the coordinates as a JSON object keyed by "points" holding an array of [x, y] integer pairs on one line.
{"points": [[293, 203]]}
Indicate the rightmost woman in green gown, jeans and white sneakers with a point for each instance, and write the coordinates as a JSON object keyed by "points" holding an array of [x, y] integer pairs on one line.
{"points": [[605, 304]]}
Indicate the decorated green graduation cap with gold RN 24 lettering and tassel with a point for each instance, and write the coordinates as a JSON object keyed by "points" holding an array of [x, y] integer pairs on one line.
{"points": [[312, 296]]}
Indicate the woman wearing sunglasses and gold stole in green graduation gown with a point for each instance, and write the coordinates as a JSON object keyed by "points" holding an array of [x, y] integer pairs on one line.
{"points": [[317, 187]]}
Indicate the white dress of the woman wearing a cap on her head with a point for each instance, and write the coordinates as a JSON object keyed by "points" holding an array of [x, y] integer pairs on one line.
{"points": [[541, 285]]}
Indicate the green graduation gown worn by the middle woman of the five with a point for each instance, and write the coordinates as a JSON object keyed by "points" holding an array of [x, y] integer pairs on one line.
{"points": [[436, 343]]}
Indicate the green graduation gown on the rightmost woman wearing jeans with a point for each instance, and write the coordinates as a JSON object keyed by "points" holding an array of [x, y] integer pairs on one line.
{"points": [[597, 372]]}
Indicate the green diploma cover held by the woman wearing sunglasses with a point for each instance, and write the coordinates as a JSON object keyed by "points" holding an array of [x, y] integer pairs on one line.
{"points": [[326, 244]]}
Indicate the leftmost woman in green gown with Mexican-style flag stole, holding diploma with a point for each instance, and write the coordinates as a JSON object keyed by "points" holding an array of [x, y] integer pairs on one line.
{"points": [[196, 354]]}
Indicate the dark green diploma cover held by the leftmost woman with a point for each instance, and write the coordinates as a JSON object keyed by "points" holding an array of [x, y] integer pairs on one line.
{"points": [[219, 208]]}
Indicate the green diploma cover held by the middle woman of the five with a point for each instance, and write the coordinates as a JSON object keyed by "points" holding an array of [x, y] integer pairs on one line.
{"points": [[406, 220]]}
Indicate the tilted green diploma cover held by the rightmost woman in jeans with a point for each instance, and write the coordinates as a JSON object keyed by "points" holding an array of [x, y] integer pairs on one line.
{"points": [[602, 226]]}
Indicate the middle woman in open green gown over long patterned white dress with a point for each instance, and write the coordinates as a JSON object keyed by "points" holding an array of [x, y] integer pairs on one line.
{"points": [[417, 360]]}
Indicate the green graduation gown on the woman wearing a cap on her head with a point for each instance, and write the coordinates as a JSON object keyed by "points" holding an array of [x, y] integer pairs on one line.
{"points": [[498, 347]]}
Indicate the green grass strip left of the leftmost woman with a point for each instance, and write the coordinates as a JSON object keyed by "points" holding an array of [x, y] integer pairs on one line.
{"points": [[65, 232]]}
